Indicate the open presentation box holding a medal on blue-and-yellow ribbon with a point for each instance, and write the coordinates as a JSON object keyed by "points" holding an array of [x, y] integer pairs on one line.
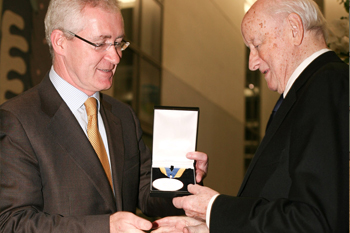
{"points": [[175, 131]]}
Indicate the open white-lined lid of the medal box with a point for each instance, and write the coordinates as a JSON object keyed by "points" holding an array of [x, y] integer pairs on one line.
{"points": [[174, 135]]}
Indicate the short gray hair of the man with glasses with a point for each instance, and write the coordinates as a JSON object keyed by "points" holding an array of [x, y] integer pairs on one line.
{"points": [[67, 15]]}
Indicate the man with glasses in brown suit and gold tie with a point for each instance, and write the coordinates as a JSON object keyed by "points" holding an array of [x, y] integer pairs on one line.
{"points": [[51, 178]]}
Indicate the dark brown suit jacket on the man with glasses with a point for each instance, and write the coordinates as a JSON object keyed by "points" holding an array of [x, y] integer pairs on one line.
{"points": [[51, 179]]}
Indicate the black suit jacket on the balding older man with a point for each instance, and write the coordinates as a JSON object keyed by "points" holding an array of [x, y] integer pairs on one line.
{"points": [[298, 178]]}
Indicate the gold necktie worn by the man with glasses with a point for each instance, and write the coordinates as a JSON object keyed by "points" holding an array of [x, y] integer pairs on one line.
{"points": [[95, 137]]}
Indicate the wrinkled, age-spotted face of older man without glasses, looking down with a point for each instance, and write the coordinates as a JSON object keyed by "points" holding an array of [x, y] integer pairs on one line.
{"points": [[270, 48]]}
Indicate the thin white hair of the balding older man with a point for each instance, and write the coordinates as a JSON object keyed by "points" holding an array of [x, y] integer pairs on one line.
{"points": [[308, 10]]}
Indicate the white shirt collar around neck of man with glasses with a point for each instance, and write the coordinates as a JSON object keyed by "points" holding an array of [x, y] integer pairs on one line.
{"points": [[72, 96]]}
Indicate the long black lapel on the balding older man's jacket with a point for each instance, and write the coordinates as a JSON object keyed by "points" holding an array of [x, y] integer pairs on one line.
{"points": [[286, 106]]}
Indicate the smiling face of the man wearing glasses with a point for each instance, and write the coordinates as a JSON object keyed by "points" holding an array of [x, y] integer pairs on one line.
{"points": [[87, 69]]}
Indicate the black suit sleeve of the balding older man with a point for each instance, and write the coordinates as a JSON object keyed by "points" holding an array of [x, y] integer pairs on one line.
{"points": [[317, 200]]}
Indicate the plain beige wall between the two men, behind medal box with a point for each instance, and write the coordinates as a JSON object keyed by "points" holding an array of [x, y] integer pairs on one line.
{"points": [[203, 65]]}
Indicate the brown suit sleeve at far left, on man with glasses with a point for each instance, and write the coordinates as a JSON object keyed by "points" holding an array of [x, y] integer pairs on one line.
{"points": [[21, 200]]}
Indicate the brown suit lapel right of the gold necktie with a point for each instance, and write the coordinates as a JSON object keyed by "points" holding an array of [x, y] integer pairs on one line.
{"points": [[116, 149]]}
